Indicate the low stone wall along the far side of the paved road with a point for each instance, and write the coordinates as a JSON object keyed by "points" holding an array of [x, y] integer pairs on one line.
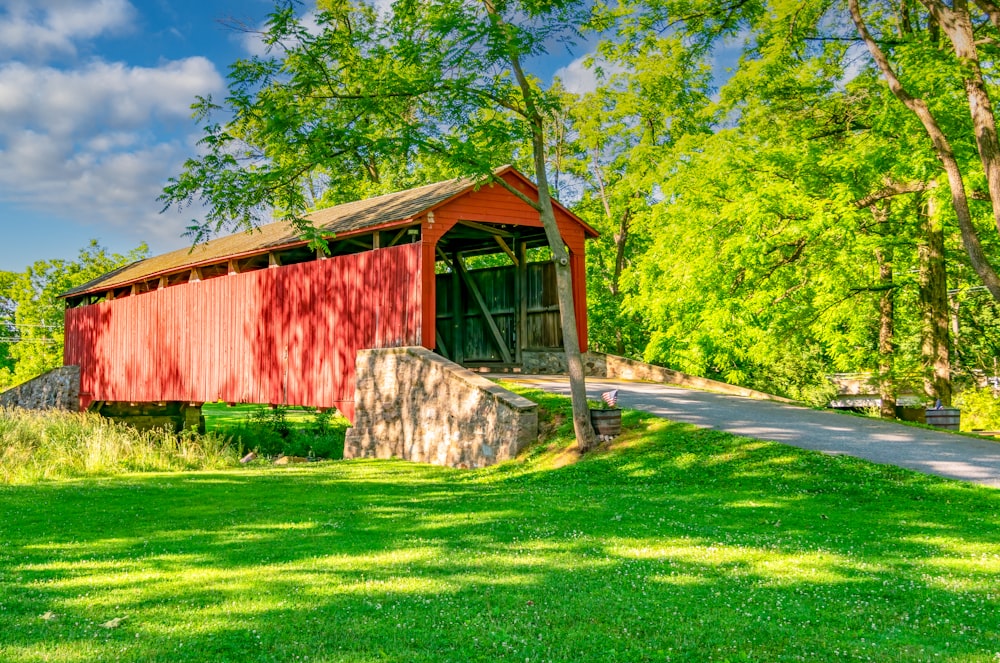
{"points": [[598, 364]]}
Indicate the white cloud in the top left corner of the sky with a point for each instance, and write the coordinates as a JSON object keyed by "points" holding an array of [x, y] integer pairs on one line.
{"points": [[40, 29]]}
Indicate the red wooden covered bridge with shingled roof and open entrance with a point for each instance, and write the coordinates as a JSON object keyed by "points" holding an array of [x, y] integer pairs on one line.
{"points": [[260, 318]]}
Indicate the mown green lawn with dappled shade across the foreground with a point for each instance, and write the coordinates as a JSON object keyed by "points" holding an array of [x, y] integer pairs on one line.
{"points": [[675, 545]]}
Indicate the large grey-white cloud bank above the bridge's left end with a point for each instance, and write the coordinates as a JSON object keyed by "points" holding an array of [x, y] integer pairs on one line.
{"points": [[87, 143]]}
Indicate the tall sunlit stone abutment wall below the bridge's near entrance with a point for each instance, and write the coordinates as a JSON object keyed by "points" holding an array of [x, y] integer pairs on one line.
{"points": [[416, 405]]}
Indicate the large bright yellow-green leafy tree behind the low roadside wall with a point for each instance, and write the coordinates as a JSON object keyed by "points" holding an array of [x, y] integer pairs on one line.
{"points": [[779, 254]]}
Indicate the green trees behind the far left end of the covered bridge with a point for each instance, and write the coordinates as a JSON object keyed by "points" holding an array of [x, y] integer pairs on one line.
{"points": [[33, 314]]}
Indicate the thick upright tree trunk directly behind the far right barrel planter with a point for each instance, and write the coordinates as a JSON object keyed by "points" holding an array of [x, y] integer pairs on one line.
{"points": [[933, 288]]}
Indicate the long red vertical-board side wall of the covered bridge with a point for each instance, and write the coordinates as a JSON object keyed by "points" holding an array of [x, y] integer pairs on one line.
{"points": [[286, 335]]}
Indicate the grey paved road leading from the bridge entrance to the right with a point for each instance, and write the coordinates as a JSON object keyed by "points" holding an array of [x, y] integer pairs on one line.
{"points": [[928, 451]]}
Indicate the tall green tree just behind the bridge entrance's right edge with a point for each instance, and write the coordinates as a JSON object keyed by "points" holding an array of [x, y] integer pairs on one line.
{"points": [[652, 96]]}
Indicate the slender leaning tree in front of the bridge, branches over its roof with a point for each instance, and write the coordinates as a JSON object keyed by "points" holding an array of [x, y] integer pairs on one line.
{"points": [[439, 77]]}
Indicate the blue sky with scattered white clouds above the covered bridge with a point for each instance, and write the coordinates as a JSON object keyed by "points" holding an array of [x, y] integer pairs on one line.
{"points": [[95, 115]]}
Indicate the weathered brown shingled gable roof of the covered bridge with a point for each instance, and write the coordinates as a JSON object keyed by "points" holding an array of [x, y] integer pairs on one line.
{"points": [[386, 211]]}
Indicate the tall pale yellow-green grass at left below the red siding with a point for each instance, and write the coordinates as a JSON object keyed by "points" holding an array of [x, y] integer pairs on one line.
{"points": [[52, 445]]}
